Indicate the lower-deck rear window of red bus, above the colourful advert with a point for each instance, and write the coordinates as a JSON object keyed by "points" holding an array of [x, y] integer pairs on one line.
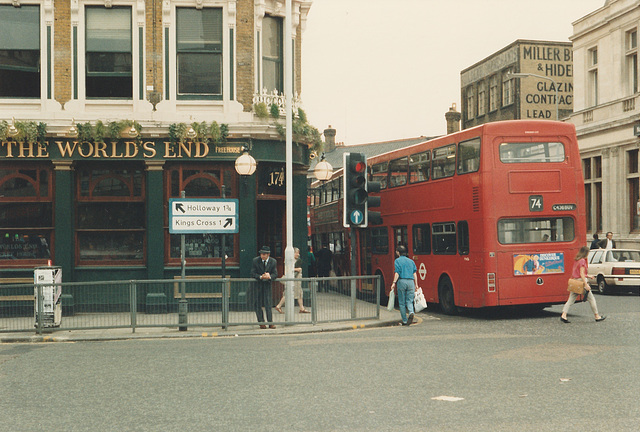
{"points": [[536, 230]]}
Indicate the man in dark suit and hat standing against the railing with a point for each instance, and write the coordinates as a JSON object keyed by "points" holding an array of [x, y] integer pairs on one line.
{"points": [[264, 270]]}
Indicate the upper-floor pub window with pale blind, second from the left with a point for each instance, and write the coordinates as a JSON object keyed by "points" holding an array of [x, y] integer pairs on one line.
{"points": [[108, 52]]}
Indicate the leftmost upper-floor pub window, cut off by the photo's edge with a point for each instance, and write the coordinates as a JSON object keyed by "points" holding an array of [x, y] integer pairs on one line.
{"points": [[19, 51]]}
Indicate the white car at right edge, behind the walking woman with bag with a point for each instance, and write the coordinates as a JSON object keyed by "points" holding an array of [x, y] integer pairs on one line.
{"points": [[614, 269]]}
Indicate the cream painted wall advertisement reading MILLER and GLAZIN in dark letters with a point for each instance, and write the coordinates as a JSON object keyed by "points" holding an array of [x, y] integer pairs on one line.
{"points": [[541, 97]]}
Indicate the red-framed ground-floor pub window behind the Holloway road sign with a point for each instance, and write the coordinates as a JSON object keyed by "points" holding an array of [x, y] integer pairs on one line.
{"points": [[201, 181]]}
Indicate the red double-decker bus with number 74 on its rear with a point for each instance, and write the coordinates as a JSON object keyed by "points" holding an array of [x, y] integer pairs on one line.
{"points": [[492, 215]]}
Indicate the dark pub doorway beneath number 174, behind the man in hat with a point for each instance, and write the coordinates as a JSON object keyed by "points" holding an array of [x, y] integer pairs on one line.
{"points": [[271, 224]]}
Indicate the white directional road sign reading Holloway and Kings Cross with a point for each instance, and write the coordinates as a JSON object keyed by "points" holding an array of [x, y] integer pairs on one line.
{"points": [[198, 216]]}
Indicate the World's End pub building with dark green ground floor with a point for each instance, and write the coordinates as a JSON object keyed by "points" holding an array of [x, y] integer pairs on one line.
{"points": [[110, 109]]}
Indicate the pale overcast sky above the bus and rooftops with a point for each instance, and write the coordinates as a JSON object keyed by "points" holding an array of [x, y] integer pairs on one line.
{"points": [[380, 70]]}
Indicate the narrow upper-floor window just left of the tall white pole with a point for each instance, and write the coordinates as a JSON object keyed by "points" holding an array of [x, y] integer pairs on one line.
{"points": [[272, 54]]}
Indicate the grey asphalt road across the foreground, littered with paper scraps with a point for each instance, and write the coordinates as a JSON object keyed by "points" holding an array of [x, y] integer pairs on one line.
{"points": [[510, 371]]}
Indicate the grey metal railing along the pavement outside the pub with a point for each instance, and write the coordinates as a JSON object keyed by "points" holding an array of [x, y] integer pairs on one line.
{"points": [[211, 302]]}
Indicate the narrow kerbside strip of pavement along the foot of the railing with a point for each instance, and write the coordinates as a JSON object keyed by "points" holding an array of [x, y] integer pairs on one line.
{"points": [[387, 318]]}
